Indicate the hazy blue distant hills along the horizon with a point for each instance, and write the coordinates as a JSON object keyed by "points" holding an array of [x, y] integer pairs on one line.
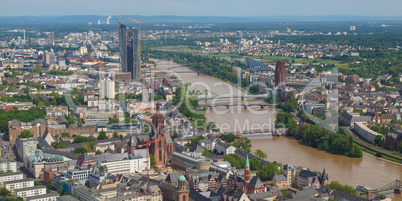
{"points": [[166, 19]]}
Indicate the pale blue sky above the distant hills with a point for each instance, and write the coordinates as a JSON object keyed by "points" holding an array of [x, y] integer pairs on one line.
{"points": [[202, 7]]}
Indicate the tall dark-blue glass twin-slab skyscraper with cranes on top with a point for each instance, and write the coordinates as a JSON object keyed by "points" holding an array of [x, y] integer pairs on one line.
{"points": [[130, 51]]}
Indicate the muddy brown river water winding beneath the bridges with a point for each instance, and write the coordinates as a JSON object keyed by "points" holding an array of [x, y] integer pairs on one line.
{"points": [[368, 171]]}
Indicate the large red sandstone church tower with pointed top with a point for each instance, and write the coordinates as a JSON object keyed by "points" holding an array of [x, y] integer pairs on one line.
{"points": [[159, 148]]}
